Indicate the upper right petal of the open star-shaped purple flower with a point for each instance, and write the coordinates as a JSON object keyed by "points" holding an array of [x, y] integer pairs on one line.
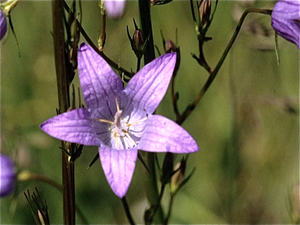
{"points": [[149, 85]]}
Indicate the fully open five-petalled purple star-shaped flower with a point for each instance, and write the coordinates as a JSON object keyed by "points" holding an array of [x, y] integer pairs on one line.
{"points": [[119, 120]]}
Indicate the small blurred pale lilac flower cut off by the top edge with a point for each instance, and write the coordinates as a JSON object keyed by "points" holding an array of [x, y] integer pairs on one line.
{"points": [[114, 8]]}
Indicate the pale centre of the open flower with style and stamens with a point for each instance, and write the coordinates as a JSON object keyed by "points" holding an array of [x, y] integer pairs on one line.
{"points": [[120, 128]]}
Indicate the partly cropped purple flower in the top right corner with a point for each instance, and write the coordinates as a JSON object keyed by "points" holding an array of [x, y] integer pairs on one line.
{"points": [[286, 20]]}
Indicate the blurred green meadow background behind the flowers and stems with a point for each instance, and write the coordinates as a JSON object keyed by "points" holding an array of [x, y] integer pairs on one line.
{"points": [[247, 124]]}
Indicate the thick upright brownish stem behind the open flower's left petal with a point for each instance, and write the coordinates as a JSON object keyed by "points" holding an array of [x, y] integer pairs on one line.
{"points": [[64, 103]]}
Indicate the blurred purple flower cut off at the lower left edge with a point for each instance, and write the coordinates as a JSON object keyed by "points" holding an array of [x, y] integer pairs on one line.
{"points": [[7, 176]]}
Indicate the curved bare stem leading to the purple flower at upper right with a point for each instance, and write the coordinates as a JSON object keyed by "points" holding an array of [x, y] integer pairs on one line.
{"points": [[214, 73]]}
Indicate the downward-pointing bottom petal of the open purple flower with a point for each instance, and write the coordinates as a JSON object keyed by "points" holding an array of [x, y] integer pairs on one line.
{"points": [[118, 166]]}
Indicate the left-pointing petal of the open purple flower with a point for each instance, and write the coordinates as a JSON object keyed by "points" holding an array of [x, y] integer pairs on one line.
{"points": [[74, 126]]}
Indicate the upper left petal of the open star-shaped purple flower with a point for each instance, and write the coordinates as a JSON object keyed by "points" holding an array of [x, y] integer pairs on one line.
{"points": [[99, 83]]}
